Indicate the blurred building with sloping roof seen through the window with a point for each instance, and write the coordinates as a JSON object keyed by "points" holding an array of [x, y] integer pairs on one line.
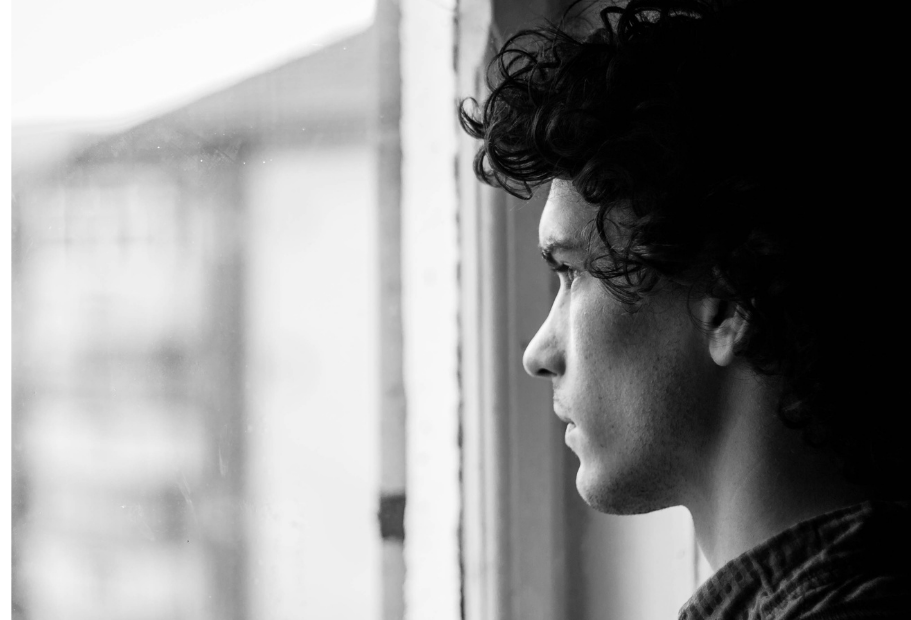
{"points": [[195, 414]]}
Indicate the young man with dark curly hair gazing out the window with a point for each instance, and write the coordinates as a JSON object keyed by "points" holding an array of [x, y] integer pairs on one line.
{"points": [[721, 335]]}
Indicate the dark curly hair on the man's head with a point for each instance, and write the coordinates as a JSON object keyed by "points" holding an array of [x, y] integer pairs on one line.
{"points": [[730, 139]]}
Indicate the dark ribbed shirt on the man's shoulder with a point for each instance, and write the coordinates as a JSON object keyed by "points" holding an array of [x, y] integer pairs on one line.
{"points": [[850, 564]]}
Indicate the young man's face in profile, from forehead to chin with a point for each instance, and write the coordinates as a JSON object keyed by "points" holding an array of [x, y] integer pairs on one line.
{"points": [[635, 387]]}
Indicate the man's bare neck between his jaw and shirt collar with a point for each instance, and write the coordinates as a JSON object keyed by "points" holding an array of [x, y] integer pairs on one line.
{"points": [[761, 478]]}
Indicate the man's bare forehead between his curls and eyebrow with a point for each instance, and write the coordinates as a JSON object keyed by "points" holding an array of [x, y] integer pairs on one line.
{"points": [[567, 218]]}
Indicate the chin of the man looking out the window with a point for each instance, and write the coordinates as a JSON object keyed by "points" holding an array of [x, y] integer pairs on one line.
{"points": [[621, 493]]}
